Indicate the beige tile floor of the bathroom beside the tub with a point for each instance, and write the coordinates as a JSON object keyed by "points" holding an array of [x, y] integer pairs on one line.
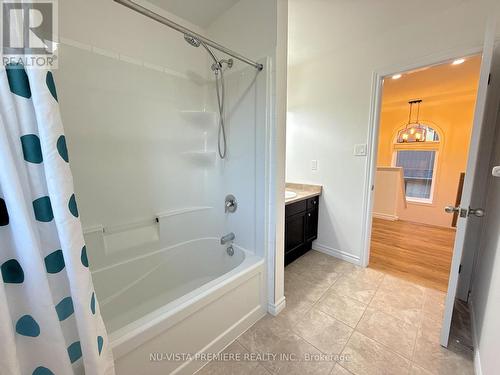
{"points": [[348, 320]]}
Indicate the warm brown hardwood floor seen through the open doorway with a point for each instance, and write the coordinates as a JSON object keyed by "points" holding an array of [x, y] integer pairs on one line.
{"points": [[417, 252]]}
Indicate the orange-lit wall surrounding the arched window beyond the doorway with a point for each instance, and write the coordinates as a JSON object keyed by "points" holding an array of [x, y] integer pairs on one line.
{"points": [[454, 121]]}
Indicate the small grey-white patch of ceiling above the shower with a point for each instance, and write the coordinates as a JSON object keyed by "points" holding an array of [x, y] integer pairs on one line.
{"points": [[199, 12]]}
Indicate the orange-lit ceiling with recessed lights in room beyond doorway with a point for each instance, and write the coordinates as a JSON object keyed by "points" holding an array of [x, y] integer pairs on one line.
{"points": [[434, 83]]}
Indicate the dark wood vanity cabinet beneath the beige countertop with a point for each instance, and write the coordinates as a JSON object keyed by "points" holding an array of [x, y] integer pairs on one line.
{"points": [[301, 227]]}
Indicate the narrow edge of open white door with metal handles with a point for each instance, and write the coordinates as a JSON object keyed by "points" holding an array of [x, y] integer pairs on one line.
{"points": [[465, 210]]}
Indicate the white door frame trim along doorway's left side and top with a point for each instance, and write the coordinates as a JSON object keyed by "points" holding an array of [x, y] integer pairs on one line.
{"points": [[374, 127]]}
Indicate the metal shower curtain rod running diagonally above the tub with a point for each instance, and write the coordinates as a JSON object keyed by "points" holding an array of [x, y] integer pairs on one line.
{"points": [[165, 21]]}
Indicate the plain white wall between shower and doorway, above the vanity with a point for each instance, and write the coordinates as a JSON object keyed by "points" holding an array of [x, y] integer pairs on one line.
{"points": [[335, 47]]}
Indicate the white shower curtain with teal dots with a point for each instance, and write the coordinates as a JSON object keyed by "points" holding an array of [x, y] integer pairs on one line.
{"points": [[49, 317]]}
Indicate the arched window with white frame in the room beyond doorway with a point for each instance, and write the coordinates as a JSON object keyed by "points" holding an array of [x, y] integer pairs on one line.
{"points": [[418, 158]]}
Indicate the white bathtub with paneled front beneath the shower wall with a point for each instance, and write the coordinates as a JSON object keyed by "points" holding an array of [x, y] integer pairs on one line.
{"points": [[189, 299]]}
